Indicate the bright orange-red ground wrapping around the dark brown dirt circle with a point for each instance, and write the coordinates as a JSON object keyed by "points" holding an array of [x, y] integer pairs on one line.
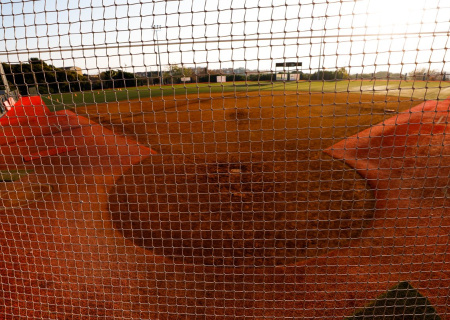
{"points": [[62, 257]]}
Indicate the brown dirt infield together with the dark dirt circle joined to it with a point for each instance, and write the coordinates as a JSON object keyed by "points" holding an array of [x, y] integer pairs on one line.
{"points": [[240, 179]]}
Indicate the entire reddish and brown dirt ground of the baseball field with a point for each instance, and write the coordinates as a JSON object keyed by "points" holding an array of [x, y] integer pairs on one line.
{"points": [[229, 205]]}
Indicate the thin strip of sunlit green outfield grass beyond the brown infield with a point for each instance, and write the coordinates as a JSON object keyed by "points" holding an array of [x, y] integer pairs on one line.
{"points": [[418, 90]]}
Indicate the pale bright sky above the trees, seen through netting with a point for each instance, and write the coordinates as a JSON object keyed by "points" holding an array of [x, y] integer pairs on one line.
{"points": [[360, 35]]}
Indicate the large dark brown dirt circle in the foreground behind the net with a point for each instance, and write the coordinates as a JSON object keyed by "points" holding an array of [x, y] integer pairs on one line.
{"points": [[237, 213]]}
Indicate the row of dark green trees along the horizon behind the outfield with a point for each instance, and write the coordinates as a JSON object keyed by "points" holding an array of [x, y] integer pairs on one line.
{"points": [[37, 76]]}
